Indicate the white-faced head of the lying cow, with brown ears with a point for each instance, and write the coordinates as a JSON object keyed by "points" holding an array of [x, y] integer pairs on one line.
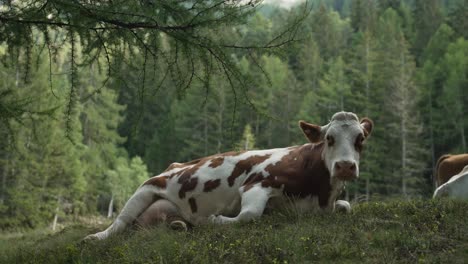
{"points": [[343, 139]]}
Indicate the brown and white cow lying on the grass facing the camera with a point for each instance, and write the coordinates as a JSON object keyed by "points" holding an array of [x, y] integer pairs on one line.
{"points": [[236, 186]]}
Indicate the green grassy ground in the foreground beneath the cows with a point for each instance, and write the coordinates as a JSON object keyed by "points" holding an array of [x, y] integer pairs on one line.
{"points": [[424, 231]]}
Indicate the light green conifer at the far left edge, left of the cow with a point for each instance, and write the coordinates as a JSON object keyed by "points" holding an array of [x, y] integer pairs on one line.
{"points": [[43, 170]]}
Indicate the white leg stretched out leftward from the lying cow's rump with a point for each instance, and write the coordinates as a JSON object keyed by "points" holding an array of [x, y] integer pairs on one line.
{"points": [[138, 203]]}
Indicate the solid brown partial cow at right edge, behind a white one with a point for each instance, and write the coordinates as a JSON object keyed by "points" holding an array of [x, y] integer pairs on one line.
{"points": [[447, 166]]}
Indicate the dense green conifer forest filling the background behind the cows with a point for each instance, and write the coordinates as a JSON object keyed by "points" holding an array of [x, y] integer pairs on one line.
{"points": [[84, 150]]}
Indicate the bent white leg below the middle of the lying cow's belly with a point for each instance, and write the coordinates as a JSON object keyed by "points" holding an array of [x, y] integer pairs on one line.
{"points": [[253, 202]]}
